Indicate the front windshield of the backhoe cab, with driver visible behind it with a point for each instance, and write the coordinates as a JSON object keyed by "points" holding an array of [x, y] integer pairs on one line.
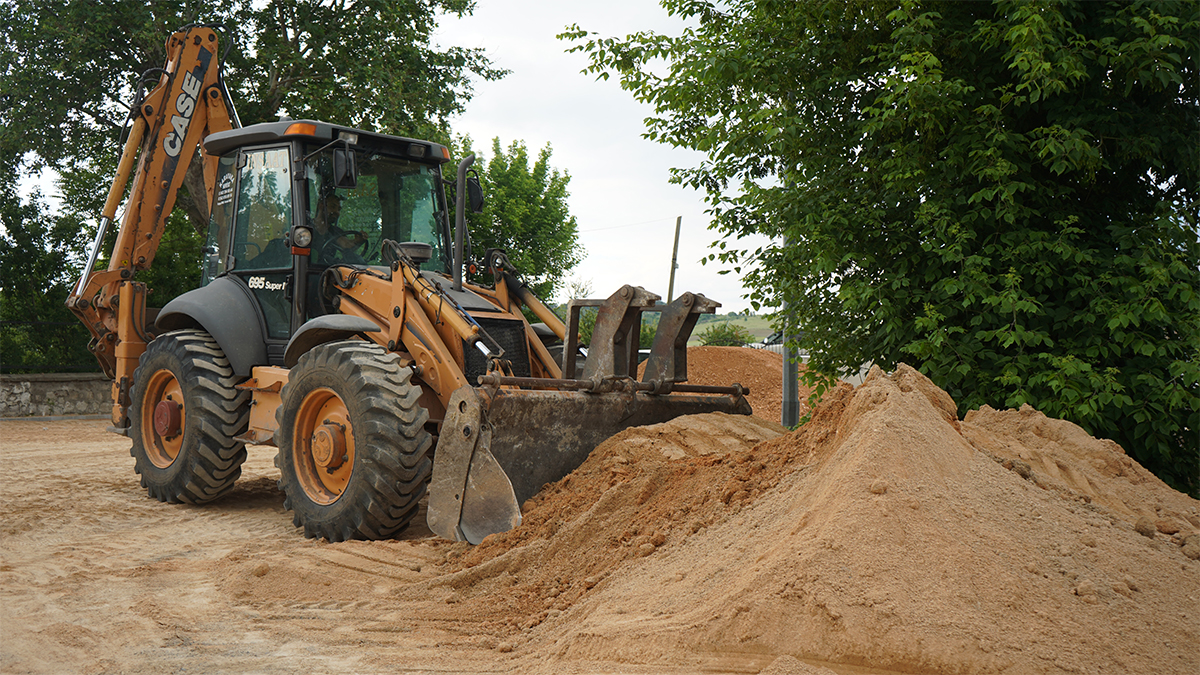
{"points": [[394, 200]]}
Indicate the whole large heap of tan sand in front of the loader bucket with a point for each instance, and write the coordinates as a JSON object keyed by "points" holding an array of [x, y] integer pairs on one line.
{"points": [[885, 533]]}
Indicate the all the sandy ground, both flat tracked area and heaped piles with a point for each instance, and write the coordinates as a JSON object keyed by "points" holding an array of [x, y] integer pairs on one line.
{"points": [[886, 536]]}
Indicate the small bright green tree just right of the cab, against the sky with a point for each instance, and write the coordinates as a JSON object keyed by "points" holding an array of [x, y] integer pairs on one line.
{"points": [[526, 216]]}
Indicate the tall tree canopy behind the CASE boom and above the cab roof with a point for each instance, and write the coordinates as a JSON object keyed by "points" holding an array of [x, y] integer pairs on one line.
{"points": [[70, 71]]}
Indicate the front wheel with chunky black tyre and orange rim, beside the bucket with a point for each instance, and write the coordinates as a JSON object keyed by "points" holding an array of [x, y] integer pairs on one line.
{"points": [[355, 455]]}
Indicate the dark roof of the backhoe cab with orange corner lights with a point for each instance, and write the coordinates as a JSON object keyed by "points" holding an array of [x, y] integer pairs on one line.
{"points": [[323, 133]]}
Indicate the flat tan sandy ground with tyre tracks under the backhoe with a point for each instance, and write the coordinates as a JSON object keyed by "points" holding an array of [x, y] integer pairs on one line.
{"points": [[98, 578]]}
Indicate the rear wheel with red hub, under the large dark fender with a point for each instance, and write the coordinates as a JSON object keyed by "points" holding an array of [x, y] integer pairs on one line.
{"points": [[184, 415]]}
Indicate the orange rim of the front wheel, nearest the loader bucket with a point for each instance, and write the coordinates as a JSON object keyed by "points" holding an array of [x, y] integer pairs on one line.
{"points": [[323, 447]]}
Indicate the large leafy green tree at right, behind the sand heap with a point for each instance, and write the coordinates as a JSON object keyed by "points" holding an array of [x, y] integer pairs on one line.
{"points": [[1004, 194]]}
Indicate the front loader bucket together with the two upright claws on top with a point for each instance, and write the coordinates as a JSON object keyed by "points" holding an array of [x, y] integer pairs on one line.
{"points": [[503, 441]]}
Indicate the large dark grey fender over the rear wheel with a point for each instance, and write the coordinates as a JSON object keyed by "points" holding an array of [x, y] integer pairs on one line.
{"points": [[229, 312]]}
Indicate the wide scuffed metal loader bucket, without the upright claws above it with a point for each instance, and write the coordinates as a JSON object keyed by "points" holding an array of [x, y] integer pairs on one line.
{"points": [[500, 447]]}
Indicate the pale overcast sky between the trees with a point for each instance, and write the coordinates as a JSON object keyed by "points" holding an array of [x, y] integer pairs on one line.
{"points": [[620, 187]]}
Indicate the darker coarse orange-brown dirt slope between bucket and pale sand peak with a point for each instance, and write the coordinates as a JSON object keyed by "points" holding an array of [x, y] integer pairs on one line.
{"points": [[644, 489]]}
